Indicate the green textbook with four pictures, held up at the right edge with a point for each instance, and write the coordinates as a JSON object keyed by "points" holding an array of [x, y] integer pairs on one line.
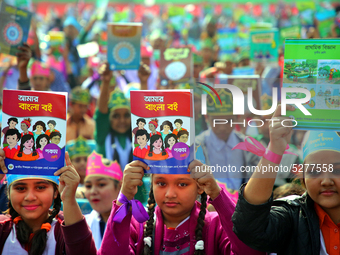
{"points": [[314, 65]]}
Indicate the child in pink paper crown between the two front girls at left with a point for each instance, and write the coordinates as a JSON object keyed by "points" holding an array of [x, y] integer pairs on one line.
{"points": [[102, 185]]}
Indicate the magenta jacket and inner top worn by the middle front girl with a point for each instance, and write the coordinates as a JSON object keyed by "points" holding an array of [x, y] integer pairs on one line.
{"points": [[218, 237]]}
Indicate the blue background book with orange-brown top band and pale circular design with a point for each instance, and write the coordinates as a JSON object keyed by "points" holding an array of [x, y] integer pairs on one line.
{"points": [[123, 47]]}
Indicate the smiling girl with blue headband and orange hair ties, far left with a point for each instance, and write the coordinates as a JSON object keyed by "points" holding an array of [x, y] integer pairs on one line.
{"points": [[30, 227]]}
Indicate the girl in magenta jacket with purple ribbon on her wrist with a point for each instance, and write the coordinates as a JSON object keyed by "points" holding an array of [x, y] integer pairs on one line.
{"points": [[182, 225]]}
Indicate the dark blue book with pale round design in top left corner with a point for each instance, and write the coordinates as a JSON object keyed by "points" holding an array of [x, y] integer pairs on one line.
{"points": [[14, 27]]}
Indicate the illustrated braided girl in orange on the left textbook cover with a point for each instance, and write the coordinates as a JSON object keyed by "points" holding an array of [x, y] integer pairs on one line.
{"points": [[27, 150]]}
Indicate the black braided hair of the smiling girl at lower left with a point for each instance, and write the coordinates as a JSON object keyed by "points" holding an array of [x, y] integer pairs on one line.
{"points": [[23, 231]]}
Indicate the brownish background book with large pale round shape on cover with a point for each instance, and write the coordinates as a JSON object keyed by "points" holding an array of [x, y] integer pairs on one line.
{"points": [[175, 65]]}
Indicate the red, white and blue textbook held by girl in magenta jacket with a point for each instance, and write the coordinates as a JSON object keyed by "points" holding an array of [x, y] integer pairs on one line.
{"points": [[163, 129]]}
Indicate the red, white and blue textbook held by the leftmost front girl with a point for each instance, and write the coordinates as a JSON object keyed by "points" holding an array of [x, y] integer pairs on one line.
{"points": [[34, 131]]}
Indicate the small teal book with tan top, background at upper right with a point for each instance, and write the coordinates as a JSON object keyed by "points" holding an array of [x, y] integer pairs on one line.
{"points": [[264, 45]]}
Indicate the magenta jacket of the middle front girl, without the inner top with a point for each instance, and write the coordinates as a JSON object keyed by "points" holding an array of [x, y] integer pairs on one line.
{"points": [[218, 235]]}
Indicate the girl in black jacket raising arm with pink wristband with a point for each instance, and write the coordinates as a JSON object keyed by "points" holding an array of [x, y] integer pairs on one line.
{"points": [[307, 224]]}
